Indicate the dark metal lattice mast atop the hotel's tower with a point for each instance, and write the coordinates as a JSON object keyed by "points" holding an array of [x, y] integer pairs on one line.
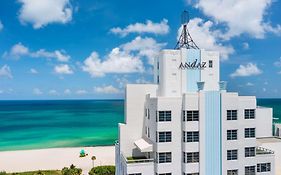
{"points": [[185, 39]]}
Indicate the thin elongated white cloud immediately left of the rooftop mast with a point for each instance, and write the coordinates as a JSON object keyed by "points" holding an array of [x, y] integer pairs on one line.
{"points": [[148, 27]]}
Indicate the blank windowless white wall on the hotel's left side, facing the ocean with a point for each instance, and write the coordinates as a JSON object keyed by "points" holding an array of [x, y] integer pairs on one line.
{"points": [[134, 116]]}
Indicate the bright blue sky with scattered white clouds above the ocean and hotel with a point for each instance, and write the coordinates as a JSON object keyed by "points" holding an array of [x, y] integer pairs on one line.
{"points": [[70, 49]]}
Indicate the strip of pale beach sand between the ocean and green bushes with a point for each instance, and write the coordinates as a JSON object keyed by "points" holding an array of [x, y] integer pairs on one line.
{"points": [[55, 159]]}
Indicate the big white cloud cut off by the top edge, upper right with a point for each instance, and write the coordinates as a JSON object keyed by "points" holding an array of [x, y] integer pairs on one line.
{"points": [[240, 16]]}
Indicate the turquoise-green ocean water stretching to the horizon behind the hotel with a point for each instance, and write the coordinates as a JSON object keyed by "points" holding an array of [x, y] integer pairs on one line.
{"points": [[69, 123]]}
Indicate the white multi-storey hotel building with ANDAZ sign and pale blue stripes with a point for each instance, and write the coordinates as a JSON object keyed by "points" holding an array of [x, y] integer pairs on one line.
{"points": [[186, 123]]}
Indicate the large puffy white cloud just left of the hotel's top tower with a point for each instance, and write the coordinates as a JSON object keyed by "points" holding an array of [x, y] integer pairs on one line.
{"points": [[127, 58]]}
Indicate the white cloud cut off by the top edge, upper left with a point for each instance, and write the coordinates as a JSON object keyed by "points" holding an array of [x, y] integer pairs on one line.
{"points": [[43, 12]]}
